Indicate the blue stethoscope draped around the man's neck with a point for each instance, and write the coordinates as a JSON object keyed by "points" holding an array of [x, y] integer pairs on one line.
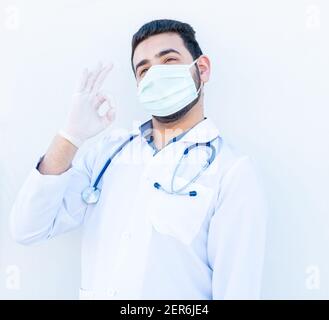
{"points": [[92, 193]]}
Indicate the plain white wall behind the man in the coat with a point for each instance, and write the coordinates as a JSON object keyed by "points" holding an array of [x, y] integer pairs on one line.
{"points": [[269, 95]]}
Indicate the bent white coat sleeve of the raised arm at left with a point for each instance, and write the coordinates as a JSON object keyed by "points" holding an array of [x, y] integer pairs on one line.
{"points": [[48, 205]]}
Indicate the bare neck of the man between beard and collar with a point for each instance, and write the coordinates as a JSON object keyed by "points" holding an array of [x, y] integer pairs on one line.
{"points": [[164, 132]]}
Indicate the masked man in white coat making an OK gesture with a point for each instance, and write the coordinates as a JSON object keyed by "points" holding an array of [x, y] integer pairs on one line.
{"points": [[163, 222]]}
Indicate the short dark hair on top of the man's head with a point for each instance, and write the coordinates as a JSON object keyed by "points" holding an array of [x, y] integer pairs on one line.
{"points": [[155, 27]]}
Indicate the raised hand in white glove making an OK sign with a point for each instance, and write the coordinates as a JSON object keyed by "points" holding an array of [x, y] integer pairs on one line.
{"points": [[85, 119]]}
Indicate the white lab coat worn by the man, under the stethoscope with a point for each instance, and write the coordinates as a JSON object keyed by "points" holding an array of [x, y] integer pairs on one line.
{"points": [[141, 243]]}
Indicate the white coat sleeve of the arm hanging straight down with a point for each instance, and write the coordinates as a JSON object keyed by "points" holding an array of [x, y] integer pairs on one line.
{"points": [[236, 238]]}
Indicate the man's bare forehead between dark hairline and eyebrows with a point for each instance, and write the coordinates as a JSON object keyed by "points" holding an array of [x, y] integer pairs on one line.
{"points": [[148, 48]]}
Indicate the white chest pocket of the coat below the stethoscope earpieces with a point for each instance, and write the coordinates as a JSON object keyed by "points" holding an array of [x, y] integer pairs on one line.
{"points": [[180, 216]]}
